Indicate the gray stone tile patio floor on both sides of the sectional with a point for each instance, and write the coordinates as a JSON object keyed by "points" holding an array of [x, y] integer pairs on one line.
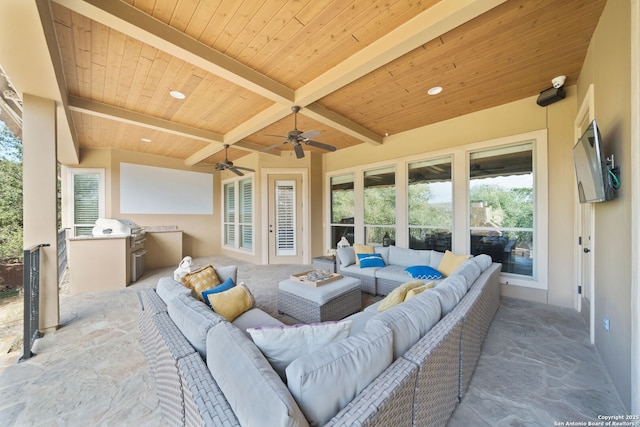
{"points": [[537, 367]]}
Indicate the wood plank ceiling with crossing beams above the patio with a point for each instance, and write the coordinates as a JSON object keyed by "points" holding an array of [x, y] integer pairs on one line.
{"points": [[359, 69]]}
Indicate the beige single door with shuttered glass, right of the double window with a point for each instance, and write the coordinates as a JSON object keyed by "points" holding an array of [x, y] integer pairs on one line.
{"points": [[285, 219]]}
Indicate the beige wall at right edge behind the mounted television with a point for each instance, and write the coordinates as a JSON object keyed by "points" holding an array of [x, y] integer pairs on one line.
{"points": [[607, 67]]}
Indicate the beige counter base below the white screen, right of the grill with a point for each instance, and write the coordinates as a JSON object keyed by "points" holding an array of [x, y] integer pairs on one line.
{"points": [[163, 245]]}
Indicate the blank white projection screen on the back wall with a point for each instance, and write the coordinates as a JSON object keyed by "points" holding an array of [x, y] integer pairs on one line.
{"points": [[154, 190]]}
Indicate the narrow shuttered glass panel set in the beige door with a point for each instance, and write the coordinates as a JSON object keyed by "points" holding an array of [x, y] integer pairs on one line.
{"points": [[285, 218]]}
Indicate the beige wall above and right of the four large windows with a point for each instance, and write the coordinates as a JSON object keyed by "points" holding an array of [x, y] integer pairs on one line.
{"points": [[510, 119]]}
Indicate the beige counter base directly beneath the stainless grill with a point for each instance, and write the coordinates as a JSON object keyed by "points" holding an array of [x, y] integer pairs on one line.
{"points": [[98, 263]]}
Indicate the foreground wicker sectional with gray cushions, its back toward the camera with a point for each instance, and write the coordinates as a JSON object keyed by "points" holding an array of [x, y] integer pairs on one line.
{"points": [[414, 378]]}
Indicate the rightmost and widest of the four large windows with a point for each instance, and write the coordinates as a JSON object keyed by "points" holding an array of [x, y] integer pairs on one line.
{"points": [[501, 206]]}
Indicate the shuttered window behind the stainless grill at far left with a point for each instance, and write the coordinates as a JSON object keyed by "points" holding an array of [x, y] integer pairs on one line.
{"points": [[86, 202]]}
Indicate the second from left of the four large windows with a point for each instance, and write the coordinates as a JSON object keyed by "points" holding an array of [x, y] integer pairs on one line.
{"points": [[380, 205]]}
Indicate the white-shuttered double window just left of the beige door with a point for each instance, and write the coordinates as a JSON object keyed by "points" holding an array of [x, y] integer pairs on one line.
{"points": [[238, 214]]}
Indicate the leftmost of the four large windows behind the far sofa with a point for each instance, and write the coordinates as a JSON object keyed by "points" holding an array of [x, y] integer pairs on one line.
{"points": [[342, 209]]}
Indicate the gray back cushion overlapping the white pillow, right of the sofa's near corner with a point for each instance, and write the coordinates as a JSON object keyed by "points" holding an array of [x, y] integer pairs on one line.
{"points": [[325, 382]]}
